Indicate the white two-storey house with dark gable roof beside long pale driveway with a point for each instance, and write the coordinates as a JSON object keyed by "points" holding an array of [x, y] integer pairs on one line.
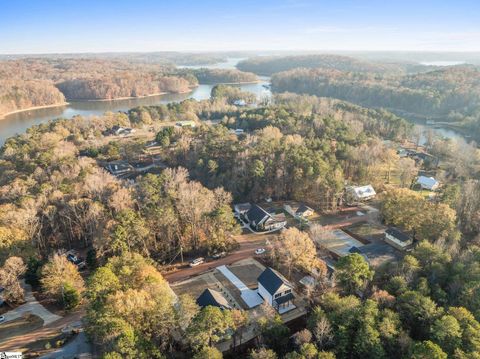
{"points": [[275, 290]]}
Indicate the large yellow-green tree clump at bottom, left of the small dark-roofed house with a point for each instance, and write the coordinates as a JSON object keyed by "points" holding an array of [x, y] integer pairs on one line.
{"points": [[131, 308]]}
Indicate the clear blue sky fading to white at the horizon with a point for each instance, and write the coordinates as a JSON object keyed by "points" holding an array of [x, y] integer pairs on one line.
{"points": [[66, 26]]}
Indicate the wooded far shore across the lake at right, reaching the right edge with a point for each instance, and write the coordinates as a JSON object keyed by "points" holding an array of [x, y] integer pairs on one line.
{"points": [[451, 94]]}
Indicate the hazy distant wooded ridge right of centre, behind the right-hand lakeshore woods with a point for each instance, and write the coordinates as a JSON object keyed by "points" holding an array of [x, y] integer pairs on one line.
{"points": [[268, 65]]}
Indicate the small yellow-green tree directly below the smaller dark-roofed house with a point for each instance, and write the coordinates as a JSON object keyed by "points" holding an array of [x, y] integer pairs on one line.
{"points": [[209, 326]]}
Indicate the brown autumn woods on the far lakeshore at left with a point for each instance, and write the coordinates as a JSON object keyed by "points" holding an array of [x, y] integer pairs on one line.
{"points": [[33, 82]]}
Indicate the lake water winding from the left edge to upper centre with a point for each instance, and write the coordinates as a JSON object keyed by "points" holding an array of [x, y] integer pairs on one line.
{"points": [[19, 122]]}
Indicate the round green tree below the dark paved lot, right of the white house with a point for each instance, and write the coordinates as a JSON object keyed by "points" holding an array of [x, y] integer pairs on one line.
{"points": [[353, 273]]}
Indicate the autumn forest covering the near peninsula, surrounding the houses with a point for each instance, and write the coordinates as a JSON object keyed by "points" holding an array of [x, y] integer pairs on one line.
{"points": [[55, 194]]}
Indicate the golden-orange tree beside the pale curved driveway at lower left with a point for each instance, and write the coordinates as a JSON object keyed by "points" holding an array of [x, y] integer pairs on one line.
{"points": [[59, 274]]}
